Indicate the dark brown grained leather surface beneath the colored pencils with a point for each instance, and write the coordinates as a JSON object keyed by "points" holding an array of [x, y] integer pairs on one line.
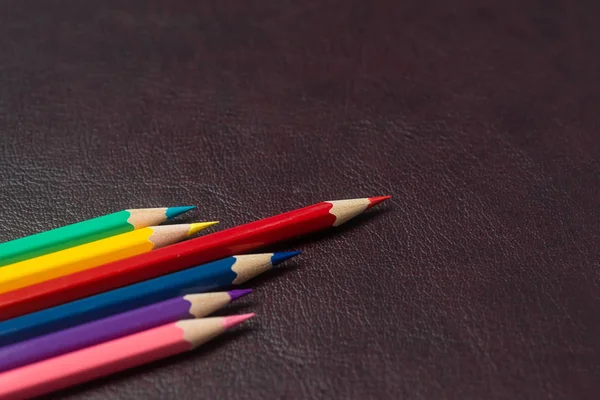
{"points": [[479, 280]]}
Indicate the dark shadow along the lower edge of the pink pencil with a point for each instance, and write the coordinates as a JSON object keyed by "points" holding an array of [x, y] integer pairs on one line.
{"points": [[170, 362]]}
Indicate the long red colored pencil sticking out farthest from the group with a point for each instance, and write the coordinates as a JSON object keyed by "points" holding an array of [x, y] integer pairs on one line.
{"points": [[239, 239]]}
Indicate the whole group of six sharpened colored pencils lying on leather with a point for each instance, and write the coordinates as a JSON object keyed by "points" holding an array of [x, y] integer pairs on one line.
{"points": [[106, 294]]}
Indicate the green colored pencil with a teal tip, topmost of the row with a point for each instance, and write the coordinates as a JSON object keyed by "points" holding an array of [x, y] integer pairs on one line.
{"points": [[84, 232]]}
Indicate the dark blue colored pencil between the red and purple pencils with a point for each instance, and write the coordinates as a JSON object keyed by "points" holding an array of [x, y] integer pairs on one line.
{"points": [[231, 271]]}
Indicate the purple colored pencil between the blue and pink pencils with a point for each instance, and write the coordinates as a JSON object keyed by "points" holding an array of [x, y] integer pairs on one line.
{"points": [[105, 329]]}
